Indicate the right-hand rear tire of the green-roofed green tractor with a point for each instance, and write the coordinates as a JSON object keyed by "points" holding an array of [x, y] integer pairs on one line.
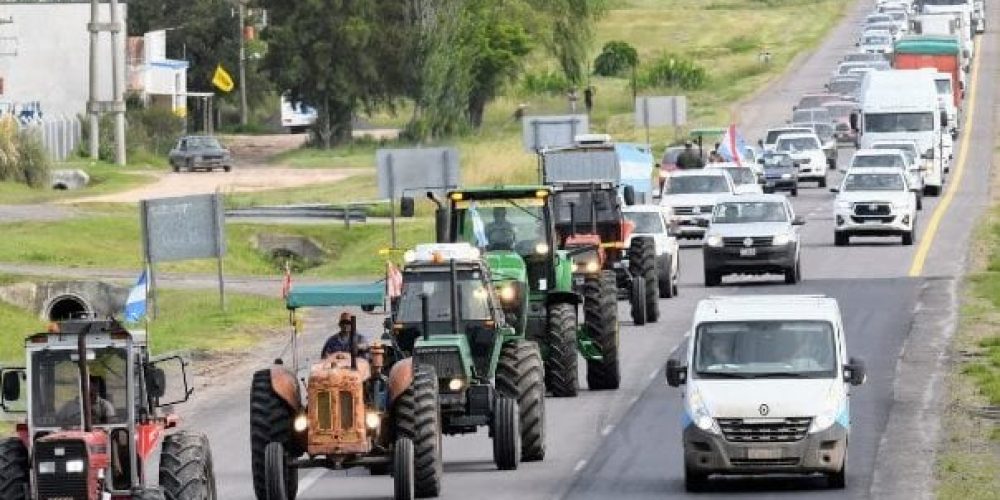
{"points": [[600, 311]]}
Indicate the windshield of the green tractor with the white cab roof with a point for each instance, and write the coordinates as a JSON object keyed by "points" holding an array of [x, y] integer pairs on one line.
{"points": [[473, 296]]}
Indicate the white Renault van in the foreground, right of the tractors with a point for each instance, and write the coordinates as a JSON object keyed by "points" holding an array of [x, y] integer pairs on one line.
{"points": [[766, 388]]}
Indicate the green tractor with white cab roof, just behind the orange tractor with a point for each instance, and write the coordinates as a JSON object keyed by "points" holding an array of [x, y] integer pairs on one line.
{"points": [[449, 316]]}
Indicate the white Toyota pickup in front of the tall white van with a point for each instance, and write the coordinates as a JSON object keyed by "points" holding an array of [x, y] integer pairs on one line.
{"points": [[874, 202]]}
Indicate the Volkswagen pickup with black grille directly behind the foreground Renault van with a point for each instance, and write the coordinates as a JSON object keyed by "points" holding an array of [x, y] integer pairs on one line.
{"points": [[752, 235]]}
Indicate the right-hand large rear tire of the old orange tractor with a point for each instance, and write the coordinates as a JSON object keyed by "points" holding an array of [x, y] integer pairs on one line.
{"points": [[417, 416]]}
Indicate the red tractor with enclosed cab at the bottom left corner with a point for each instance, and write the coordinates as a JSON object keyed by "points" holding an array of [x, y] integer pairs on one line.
{"points": [[94, 427]]}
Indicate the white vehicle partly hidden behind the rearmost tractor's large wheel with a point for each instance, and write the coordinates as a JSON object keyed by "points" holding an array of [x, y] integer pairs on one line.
{"points": [[654, 221]]}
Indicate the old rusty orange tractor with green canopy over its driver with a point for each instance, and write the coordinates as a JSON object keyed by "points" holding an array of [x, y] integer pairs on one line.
{"points": [[368, 407]]}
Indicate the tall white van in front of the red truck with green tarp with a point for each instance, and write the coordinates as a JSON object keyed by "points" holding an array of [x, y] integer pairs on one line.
{"points": [[903, 104]]}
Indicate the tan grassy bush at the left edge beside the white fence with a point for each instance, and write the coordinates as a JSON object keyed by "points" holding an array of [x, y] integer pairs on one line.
{"points": [[23, 158]]}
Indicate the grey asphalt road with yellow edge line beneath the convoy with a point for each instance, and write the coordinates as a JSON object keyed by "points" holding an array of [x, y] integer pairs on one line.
{"points": [[626, 443]]}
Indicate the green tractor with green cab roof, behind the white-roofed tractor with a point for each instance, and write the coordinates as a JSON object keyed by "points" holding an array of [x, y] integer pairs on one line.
{"points": [[542, 295]]}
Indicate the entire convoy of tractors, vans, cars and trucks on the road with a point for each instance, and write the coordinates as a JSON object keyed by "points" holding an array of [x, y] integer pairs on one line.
{"points": [[522, 282]]}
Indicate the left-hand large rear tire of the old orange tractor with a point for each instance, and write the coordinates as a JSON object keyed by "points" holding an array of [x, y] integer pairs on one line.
{"points": [[270, 422]]}
